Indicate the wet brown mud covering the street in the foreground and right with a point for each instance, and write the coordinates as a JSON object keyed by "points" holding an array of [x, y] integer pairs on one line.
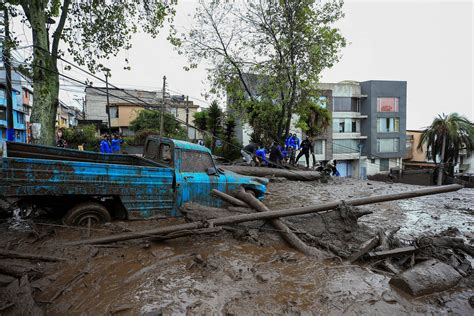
{"points": [[235, 271]]}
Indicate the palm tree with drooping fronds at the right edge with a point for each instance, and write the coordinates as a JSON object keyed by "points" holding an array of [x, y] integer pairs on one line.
{"points": [[445, 137]]}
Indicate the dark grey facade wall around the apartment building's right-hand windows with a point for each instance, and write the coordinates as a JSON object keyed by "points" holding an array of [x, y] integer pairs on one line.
{"points": [[375, 89]]}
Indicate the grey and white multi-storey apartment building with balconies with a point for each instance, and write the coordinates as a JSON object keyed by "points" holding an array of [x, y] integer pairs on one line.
{"points": [[367, 135]]}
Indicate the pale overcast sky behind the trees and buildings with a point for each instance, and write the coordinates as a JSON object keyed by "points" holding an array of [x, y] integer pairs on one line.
{"points": [[428, 44]]}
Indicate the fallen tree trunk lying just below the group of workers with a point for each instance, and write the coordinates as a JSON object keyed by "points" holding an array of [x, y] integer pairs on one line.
{"points": [[274, 172]]}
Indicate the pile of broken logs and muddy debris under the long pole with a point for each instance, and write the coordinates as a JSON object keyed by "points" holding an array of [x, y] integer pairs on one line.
{"points": [[422, 266]]}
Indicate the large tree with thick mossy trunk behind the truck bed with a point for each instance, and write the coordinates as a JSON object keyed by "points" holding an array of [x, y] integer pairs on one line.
{"points": [[90, 30]]}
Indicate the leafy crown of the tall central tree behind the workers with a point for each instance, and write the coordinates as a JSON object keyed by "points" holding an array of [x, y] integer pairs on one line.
{"points": [[267, 55]]}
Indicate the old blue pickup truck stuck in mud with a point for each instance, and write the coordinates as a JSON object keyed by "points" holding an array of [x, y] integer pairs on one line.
{"points": [[90, 187]]}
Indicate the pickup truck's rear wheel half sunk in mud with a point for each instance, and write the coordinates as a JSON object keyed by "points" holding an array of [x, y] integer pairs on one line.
{"points": [[85, 213]]}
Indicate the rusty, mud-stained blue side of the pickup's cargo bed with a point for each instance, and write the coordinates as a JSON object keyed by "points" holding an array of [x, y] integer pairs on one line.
{"points": [[144, 187]]}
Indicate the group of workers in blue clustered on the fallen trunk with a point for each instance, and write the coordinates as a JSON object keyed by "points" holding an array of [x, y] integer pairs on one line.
{"points": [[279, 154]]}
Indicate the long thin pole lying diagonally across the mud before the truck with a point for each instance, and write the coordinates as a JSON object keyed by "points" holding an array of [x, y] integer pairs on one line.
{"points": [[269, 215]]}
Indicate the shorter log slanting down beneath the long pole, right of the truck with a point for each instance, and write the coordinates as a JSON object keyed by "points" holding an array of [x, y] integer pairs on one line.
{"points": [[285, 231]]}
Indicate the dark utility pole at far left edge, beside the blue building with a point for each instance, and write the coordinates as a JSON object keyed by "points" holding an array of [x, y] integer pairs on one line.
{"points": [[8, 76]]}
